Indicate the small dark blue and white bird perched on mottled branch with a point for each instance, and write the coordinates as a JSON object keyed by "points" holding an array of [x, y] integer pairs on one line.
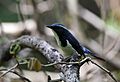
{"points": [[67, 41]]}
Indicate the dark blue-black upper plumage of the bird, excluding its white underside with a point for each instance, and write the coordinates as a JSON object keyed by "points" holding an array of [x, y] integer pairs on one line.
{"points": [[64, 36]]}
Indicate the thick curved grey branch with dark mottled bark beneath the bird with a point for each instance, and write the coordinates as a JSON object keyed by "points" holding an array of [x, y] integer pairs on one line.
{"points": [[70, 72]]}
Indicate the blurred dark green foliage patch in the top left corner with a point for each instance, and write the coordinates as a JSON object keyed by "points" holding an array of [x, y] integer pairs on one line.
{"points": [[7, 13]]}
